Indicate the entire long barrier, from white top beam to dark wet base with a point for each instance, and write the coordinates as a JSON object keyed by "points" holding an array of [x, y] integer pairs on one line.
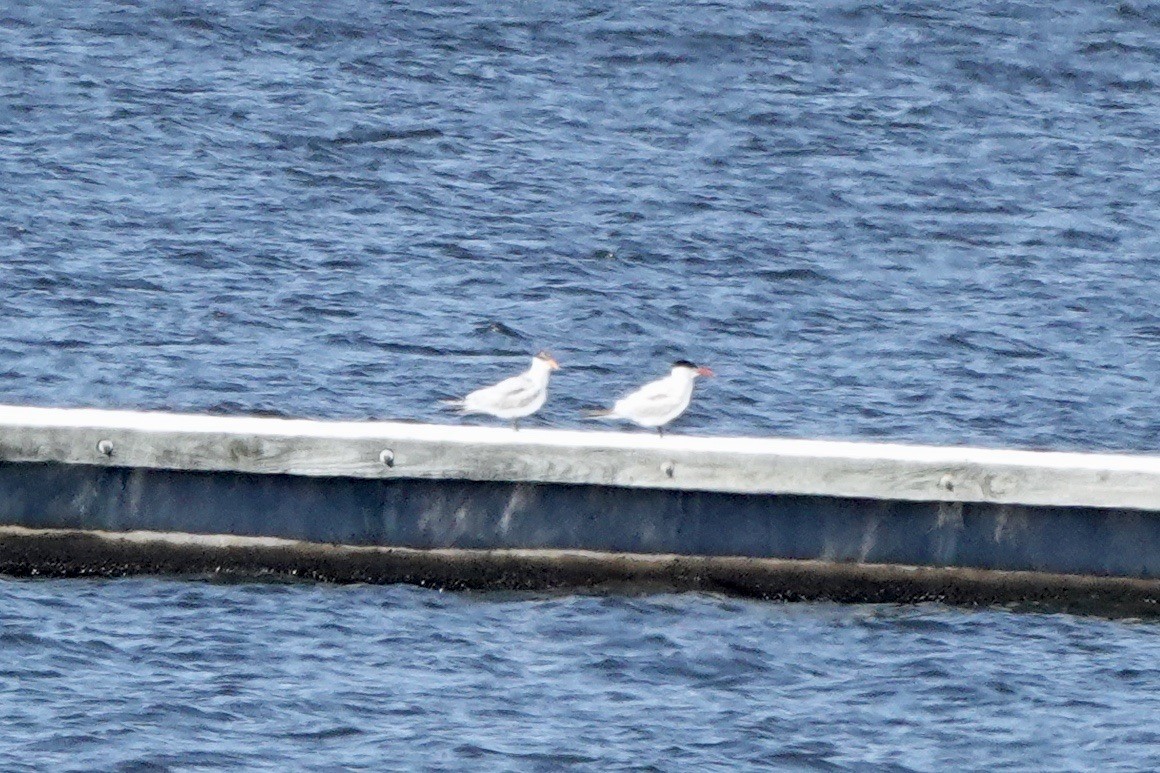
{"points": [[534, 500]]}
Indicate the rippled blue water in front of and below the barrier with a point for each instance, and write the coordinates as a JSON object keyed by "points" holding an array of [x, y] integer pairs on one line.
{"points": [[150, 675]]}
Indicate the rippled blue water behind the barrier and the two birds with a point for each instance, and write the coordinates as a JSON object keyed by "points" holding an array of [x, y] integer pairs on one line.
{"points": [[873, 220]]}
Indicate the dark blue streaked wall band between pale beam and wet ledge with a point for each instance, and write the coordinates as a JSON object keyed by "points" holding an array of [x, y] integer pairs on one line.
{"points": [[430, 515]]}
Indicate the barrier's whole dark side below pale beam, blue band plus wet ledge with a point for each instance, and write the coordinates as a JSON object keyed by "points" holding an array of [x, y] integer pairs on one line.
{"points": [[850, 539]]}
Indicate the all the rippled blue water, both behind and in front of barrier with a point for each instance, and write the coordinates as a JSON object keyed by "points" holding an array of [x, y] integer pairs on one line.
{"points": [[873, 220]]}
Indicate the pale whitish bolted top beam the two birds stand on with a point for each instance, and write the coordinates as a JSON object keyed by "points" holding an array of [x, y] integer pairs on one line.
{"points": [[391, 450]]}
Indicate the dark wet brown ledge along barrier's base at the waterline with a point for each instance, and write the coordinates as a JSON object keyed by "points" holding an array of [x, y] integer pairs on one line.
{"points": [[59, 553]]}
